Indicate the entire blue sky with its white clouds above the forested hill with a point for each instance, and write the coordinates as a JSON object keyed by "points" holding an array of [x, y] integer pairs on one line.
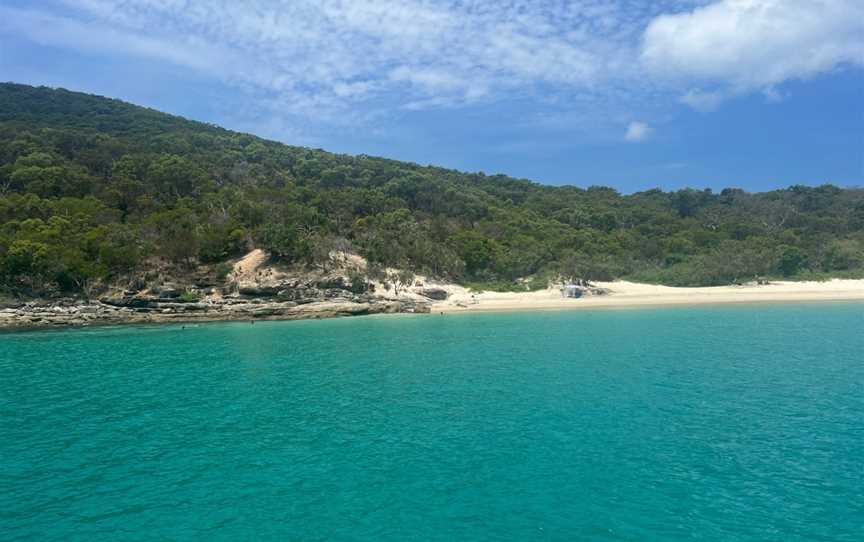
{"points": [[632, 94]]}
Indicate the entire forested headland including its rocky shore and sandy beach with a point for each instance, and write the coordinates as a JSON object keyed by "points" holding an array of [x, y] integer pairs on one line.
{"points": [[114, 213]]}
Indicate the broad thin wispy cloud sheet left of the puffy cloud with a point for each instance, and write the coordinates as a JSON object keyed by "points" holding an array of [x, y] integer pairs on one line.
{"points": [[310, 54]]}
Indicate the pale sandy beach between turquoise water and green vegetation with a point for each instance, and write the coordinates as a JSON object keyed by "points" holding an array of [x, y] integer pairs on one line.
{"points": [[629, 294]]}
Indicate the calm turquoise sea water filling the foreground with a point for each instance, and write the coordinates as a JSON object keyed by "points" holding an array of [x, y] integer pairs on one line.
{"points": [[738, 423]]}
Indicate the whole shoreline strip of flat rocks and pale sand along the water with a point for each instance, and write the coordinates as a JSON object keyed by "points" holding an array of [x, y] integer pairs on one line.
{"points": [[621, 295]]}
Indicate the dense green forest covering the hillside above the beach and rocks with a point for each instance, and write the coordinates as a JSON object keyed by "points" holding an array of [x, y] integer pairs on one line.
{"points": [[93, 189]]}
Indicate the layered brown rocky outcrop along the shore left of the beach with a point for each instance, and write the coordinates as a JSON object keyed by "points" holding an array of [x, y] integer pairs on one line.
{"points": [[255, 293]]}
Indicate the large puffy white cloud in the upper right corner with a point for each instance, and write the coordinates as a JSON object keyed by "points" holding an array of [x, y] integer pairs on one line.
{"points": [[739, 46]]}
